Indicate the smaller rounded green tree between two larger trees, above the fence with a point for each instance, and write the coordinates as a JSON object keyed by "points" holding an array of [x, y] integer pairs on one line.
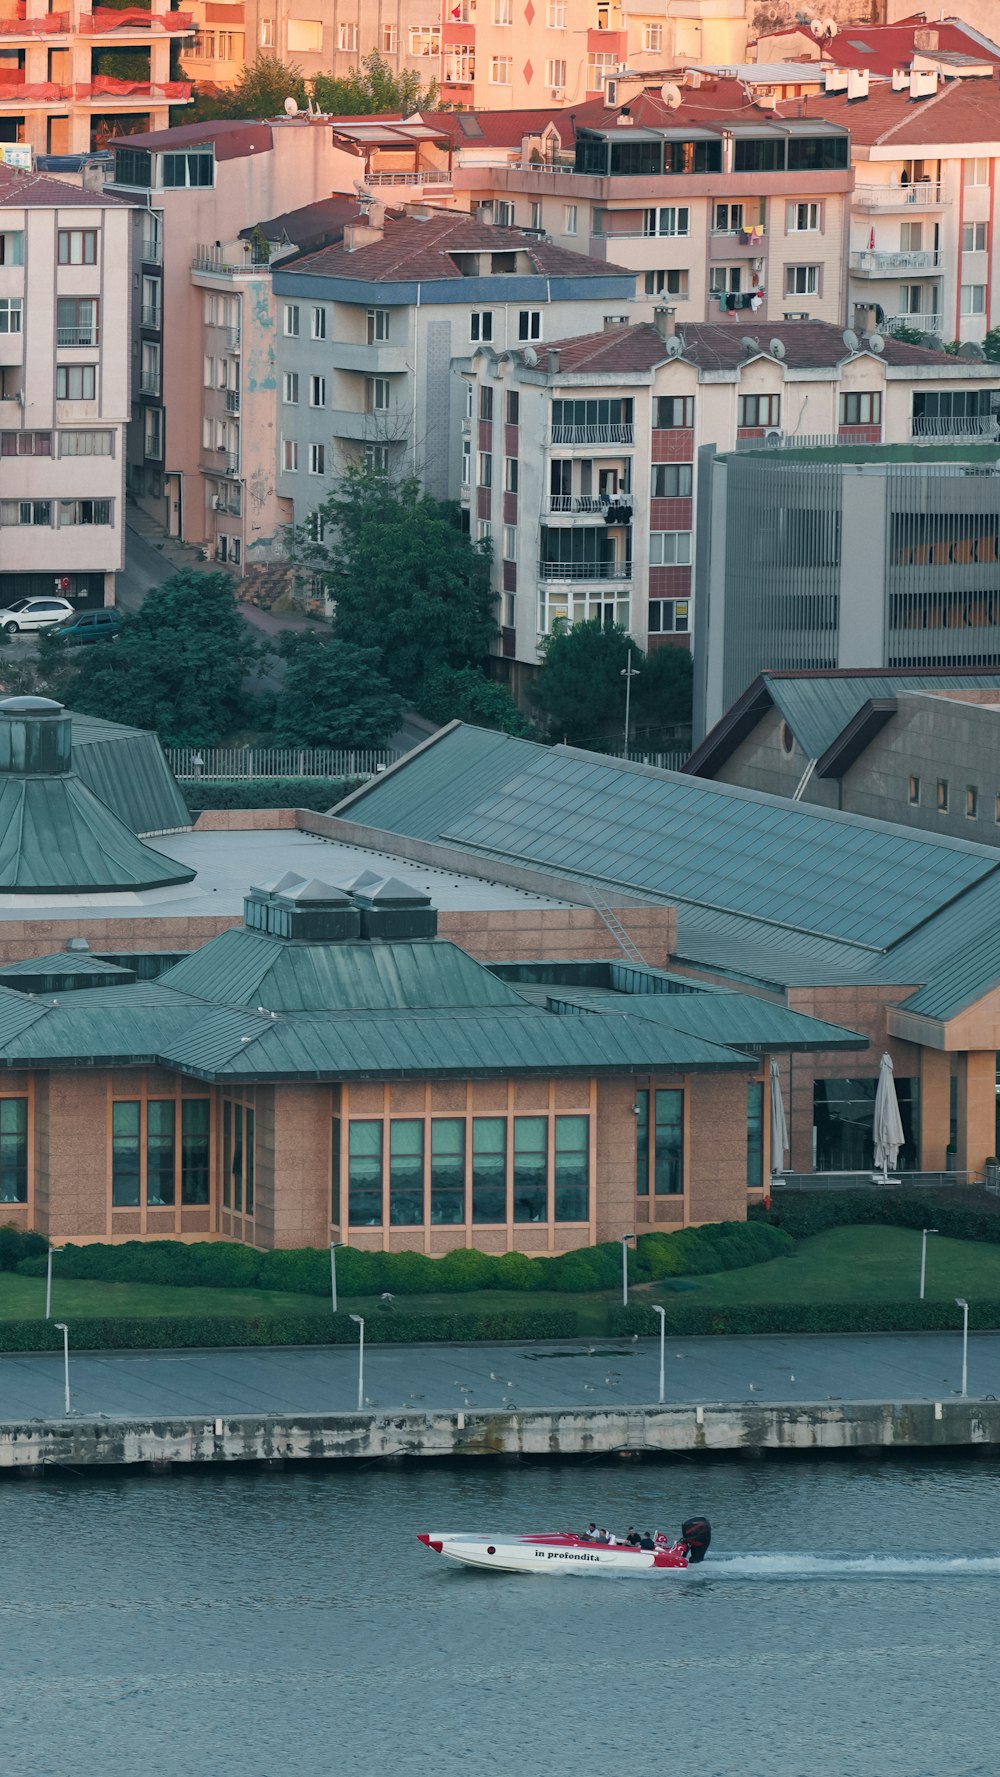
{"points": [[333, 696]]}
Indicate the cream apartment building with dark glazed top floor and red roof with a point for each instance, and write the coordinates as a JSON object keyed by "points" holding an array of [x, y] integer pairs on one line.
{"points": [[718, 205]]}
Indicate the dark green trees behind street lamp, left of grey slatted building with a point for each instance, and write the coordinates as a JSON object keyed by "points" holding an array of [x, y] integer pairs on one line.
{"points": [[582, 687]]}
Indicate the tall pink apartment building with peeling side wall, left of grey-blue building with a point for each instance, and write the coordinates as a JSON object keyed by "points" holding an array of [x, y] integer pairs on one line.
{"points": [[196, 283]]}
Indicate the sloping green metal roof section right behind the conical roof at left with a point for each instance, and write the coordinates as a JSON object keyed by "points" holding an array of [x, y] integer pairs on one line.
{"points": [[129, 772]]}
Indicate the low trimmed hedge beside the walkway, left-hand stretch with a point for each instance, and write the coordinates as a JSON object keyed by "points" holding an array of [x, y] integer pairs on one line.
{"points": [[166, 1332]]}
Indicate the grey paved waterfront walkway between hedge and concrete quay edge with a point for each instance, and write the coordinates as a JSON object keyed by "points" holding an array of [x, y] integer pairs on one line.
{"points": [[324, 1380]]}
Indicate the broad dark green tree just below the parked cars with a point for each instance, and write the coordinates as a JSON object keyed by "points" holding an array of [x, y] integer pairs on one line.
{"points": [[179, 665]]}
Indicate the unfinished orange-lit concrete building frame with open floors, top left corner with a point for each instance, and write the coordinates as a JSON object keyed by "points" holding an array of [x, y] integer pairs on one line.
{"points": [[61, 92]]}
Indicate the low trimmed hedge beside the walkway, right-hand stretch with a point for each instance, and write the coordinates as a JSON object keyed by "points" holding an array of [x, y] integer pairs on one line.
{"points": [[694, 1319]]}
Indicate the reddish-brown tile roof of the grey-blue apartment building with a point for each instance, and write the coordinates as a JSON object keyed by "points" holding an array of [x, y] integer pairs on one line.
{"points": [[424, 251]]}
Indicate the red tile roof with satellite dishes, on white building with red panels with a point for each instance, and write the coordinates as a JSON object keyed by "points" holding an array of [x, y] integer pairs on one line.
{"points": [[809, 346]]}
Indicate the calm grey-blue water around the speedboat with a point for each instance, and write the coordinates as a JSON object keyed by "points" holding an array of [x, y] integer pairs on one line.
{"points": [[289, 1625]]}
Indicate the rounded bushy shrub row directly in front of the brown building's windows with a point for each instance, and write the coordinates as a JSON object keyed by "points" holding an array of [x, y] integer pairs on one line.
{"points": [[694, 1252]]}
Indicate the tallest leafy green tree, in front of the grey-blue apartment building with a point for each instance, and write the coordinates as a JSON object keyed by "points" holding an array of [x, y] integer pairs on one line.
{"points": [[404, 577]]}
